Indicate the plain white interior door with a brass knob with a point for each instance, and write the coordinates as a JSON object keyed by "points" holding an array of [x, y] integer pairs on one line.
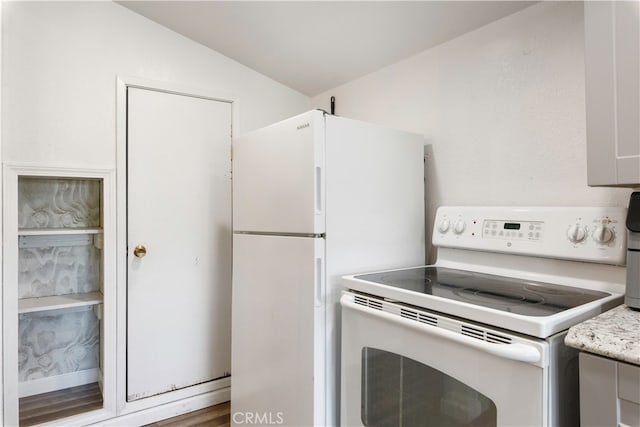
{"points": [[179, 209]]}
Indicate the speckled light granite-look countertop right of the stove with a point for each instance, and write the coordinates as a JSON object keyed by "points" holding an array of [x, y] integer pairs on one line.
{"points": [[614, 334]]}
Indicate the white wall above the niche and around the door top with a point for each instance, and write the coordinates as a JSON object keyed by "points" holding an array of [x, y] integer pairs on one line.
{"points": [[60, 61]]}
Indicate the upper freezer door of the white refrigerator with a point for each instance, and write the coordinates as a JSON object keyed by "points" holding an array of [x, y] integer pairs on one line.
{"points": [[278, 177]]}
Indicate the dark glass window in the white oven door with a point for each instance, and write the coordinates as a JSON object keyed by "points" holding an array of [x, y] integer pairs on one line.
{"points": [[398, 391]]}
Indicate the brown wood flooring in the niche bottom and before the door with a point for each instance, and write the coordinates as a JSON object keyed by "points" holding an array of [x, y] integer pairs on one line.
{"points": [[46, 407]]}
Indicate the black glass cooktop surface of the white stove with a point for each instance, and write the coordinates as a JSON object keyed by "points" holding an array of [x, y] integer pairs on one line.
{"points": [[512, 295]]}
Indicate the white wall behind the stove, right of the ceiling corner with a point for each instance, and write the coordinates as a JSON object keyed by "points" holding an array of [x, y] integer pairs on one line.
{"points": [[503, 107]]}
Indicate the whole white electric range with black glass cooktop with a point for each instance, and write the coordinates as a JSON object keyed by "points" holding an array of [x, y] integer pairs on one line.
{"points": [[478, 337]]}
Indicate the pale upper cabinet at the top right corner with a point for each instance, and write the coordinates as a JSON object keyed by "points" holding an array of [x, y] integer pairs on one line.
{"points": [[612, 61]]}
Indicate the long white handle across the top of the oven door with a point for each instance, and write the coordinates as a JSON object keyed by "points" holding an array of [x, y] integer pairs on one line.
{"points": [[516, 351]]}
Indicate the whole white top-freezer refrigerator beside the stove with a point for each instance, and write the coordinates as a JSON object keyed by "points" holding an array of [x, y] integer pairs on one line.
{"points": [[314, 197]]}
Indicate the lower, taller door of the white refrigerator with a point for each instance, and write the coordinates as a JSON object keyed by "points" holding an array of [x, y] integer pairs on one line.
{"points": [[278, 353]]}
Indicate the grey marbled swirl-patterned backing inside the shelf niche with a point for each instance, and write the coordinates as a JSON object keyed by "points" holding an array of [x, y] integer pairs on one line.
{"points": [[57, 341]]}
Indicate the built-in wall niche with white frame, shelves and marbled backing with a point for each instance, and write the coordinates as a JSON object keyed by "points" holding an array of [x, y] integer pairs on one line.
{"points": [[57, 271]]}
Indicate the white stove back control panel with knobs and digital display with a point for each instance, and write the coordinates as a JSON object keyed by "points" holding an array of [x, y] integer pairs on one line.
{"points": [[591, 234]]}
